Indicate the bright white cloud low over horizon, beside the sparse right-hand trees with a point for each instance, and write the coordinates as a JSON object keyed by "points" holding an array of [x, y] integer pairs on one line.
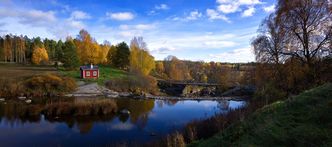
{"points": [[238, 55]]}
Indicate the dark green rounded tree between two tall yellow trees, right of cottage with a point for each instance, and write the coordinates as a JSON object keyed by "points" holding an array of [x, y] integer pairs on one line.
{"points": [[121, 57]]}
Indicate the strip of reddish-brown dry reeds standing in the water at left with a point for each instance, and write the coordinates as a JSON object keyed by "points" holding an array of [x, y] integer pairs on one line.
{"points": [[57, 107]]}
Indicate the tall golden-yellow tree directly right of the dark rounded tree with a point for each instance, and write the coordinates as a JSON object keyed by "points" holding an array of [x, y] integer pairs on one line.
{"points": [[140, 59]]}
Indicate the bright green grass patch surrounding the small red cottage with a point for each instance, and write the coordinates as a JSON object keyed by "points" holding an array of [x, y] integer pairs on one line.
{"points": [[105, 73]]}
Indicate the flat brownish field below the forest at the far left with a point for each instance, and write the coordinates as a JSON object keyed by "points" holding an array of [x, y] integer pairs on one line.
{"points": [[18, 71]]}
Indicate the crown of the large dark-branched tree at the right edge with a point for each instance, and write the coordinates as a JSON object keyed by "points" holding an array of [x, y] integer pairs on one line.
{"points": [[309, 27]]}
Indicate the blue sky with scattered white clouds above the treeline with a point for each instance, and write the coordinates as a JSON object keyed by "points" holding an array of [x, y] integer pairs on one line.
{"points": [[200, 30]]}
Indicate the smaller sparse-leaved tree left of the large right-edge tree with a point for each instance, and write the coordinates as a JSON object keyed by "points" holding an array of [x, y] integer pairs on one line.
{"points": [[269, 47]]}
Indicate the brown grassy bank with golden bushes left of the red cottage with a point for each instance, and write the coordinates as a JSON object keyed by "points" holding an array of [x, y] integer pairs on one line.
{"points": [[36, 81]]}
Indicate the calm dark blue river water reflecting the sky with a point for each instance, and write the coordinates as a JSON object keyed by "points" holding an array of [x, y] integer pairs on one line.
{"points": [[148, 120]]}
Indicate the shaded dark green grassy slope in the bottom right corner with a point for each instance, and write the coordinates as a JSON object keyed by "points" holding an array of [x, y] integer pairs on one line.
{"points": [[303, 120]]}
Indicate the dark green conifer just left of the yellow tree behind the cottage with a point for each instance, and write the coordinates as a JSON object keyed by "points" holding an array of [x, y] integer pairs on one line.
{"points": [[70, 58]]}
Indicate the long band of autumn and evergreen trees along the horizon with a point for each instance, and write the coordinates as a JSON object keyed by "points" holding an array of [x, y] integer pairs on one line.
{"points": [[134, 57]]}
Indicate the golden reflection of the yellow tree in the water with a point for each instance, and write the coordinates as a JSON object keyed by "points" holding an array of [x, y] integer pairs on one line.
{"points": [[139, 110]]}
